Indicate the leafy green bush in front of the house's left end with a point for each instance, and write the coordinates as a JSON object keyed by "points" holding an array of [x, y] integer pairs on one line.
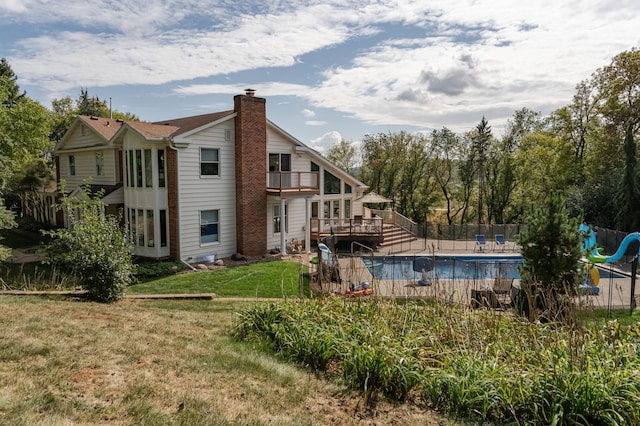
{"points": [[95, 248]]}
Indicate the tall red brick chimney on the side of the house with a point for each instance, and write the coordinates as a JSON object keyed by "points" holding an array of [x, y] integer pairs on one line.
{"points": [[251, 174]]}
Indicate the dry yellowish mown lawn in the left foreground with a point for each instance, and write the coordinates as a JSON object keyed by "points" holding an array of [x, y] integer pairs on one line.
{"points": [[160, 363]]}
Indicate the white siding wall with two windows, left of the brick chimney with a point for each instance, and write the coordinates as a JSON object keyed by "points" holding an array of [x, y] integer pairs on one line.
{"points": [[207, 193]]}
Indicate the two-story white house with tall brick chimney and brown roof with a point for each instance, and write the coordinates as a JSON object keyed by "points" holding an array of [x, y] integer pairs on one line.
{"points": [[221, 183]]}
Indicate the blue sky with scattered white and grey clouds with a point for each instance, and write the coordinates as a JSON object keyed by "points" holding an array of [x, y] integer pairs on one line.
{"points": [[330, 69]]}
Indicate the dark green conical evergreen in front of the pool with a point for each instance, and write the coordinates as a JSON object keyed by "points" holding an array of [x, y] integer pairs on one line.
{"points": [[551, 251]]}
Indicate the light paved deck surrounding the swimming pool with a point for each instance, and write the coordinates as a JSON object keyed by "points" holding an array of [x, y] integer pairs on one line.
{"points": [[615, 293]]}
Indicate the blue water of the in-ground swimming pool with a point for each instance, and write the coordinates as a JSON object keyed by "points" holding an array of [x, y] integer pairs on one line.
{"points": [[450, 267]]}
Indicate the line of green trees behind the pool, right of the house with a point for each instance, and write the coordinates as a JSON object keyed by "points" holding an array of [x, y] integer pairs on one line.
{"points": [[585, 151]]}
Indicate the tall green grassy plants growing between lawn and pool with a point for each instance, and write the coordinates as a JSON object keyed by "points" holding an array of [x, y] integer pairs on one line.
{"points": [[481, 365]]}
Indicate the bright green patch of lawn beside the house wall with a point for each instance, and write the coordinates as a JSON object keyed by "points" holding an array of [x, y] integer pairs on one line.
{"points": [[267, 279]]}
